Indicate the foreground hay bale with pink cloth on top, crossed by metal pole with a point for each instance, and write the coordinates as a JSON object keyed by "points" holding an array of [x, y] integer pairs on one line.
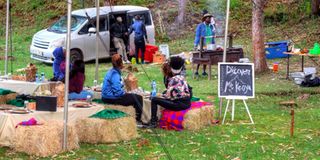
{"points": [[44, 140]]}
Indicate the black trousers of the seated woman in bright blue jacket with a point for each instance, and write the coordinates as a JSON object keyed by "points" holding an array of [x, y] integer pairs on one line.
{"points": [[128, 99]]}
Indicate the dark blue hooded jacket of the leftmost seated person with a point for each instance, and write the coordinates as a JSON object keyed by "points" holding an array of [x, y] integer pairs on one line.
{"points": [[58, 59]]}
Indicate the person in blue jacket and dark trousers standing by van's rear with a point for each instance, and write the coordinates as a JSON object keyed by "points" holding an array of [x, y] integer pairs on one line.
{"points": [[140, 35]]}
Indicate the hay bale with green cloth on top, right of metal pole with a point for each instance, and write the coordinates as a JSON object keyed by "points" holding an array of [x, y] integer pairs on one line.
{"points": [[95, 130]]}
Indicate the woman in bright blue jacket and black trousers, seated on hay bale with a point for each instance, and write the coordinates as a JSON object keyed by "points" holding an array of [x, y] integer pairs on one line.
{"points": [[113, 92]]}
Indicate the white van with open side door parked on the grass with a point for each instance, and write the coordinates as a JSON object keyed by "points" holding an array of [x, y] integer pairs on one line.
{"points": [[83, 42]]}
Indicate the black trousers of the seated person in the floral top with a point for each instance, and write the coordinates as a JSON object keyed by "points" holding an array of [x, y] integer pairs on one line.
{"points": [[174, 105]]}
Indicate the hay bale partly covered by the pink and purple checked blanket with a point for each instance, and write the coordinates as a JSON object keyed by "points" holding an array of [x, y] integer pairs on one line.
{"points": [[198, 118]]}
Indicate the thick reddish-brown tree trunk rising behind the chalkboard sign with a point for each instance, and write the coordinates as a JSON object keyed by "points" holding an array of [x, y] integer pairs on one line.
{"points": [[259, 57]]}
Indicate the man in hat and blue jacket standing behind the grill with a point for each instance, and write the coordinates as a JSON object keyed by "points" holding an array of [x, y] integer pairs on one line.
{"points": [[204, 29]]}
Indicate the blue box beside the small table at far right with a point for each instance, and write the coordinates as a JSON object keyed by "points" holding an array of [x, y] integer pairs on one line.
{"points": [[276, 49]]}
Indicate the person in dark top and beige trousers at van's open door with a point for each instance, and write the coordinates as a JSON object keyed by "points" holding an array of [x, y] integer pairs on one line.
{"points": [[118, 31]]}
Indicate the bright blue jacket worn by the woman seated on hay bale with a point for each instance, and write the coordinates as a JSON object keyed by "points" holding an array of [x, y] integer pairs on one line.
{"points": [[112, 84]]}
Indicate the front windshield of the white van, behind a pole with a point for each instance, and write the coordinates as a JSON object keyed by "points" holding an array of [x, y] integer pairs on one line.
{"points": [[61, 25]]}
